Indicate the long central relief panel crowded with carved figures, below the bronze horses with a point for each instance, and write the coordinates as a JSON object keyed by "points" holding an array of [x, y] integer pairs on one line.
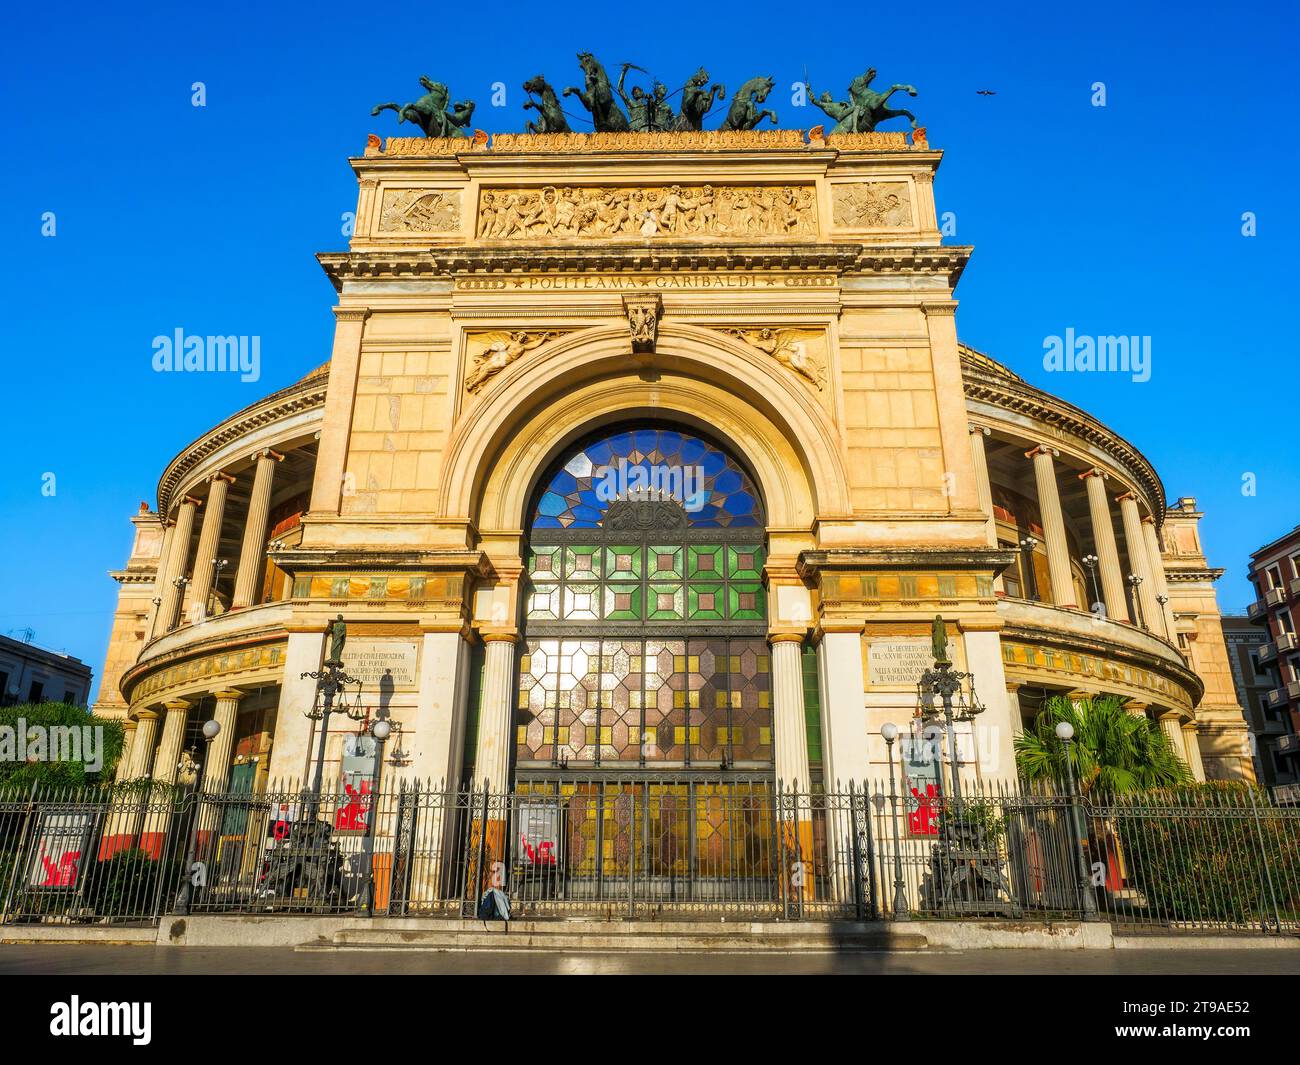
{"points": [[647, 213]]}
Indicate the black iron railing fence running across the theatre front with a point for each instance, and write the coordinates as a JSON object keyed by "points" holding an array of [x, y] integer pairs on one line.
{"points": [[1207, 858]]}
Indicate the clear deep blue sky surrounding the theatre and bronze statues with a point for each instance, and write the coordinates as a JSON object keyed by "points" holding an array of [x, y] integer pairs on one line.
{"points": [[1116, 220]]}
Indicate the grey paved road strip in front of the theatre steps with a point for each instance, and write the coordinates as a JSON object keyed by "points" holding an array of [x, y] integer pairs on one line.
{"points": [[59, 959]]}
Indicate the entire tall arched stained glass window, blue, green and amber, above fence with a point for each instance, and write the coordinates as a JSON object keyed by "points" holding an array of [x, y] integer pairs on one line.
{"points": [[645, 612]]}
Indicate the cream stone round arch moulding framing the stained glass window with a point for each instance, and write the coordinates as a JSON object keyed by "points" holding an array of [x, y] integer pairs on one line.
{"points": [[700, 379]]}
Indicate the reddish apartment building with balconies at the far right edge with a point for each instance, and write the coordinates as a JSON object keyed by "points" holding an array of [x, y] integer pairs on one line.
{"points": [[1276, 575]]}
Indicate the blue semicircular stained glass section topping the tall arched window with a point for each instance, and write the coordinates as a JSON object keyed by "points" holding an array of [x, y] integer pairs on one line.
{"points": [[649, 465]]}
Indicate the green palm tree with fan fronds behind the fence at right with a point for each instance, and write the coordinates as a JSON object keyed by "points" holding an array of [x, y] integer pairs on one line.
{"points": [[1113, 751]]}
